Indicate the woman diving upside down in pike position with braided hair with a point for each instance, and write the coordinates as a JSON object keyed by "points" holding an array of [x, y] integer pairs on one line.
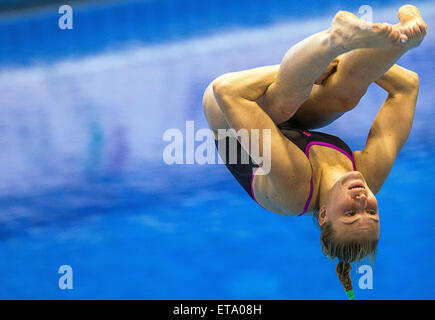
{"points": [[314, 173]]}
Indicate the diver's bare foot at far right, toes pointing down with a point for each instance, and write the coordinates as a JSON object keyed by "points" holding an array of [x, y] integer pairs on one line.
{"points": [[412, 24]]}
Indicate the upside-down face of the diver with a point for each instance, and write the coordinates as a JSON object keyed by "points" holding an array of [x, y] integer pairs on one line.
{"points": [[352, 207]]}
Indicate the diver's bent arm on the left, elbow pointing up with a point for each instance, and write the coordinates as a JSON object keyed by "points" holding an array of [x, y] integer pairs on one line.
{"points": [[236, 94]]}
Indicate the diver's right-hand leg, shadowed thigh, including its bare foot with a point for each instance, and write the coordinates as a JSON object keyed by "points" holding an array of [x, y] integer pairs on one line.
{"points": [[355, 71]]}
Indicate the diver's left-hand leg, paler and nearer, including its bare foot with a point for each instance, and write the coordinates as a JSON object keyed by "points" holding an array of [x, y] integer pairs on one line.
{"points": [[305, 62]]}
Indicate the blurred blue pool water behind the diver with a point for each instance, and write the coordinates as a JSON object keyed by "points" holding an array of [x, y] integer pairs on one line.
{"points": [[83, 182]]}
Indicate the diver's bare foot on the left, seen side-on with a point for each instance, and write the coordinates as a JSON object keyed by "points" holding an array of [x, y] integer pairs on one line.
{"points": [[349, 32]]}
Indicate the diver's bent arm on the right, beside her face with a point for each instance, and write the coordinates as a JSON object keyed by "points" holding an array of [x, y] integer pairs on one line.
{"points": [[391, 127]]}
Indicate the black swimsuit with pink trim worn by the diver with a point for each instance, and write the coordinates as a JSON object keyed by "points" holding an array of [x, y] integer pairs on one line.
{"points": [[304, 139]]}
